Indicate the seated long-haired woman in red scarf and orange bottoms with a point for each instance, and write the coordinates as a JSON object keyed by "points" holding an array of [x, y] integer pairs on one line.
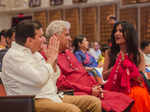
{"points": [[122, 64]]}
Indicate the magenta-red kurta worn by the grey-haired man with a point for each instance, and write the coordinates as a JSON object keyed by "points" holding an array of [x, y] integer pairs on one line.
{"points": [[74, 76]]}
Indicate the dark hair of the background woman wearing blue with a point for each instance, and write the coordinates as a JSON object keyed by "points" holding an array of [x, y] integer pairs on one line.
{"points": [[78, 39]]}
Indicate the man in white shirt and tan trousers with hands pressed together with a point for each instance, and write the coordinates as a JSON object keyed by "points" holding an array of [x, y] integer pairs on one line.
{"points": [[25, 72]]}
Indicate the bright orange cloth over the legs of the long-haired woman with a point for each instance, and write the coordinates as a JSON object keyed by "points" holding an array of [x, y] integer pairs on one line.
{"points": [[141, 99]]}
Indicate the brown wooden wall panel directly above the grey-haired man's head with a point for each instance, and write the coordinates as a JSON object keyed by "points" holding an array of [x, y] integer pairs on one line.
{"points": [[55, 15]]}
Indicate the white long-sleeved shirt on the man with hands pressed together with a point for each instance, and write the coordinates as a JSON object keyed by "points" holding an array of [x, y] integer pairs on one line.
{"points": [[25, 73]]}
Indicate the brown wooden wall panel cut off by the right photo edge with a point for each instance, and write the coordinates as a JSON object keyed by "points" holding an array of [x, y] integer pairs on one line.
{"points": [[145, 23]]}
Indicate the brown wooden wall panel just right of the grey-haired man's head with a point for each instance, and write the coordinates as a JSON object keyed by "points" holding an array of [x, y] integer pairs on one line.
{"points": [[72, 15]]}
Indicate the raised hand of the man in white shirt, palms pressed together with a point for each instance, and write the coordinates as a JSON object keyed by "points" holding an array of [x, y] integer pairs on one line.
{"points": [[53, 50]]}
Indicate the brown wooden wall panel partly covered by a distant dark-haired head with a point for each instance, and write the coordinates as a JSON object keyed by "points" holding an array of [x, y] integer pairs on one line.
{"points": [[105, 27]]}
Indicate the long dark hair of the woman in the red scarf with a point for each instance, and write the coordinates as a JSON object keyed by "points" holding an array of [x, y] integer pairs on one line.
{"points": [[131, 38]]}
